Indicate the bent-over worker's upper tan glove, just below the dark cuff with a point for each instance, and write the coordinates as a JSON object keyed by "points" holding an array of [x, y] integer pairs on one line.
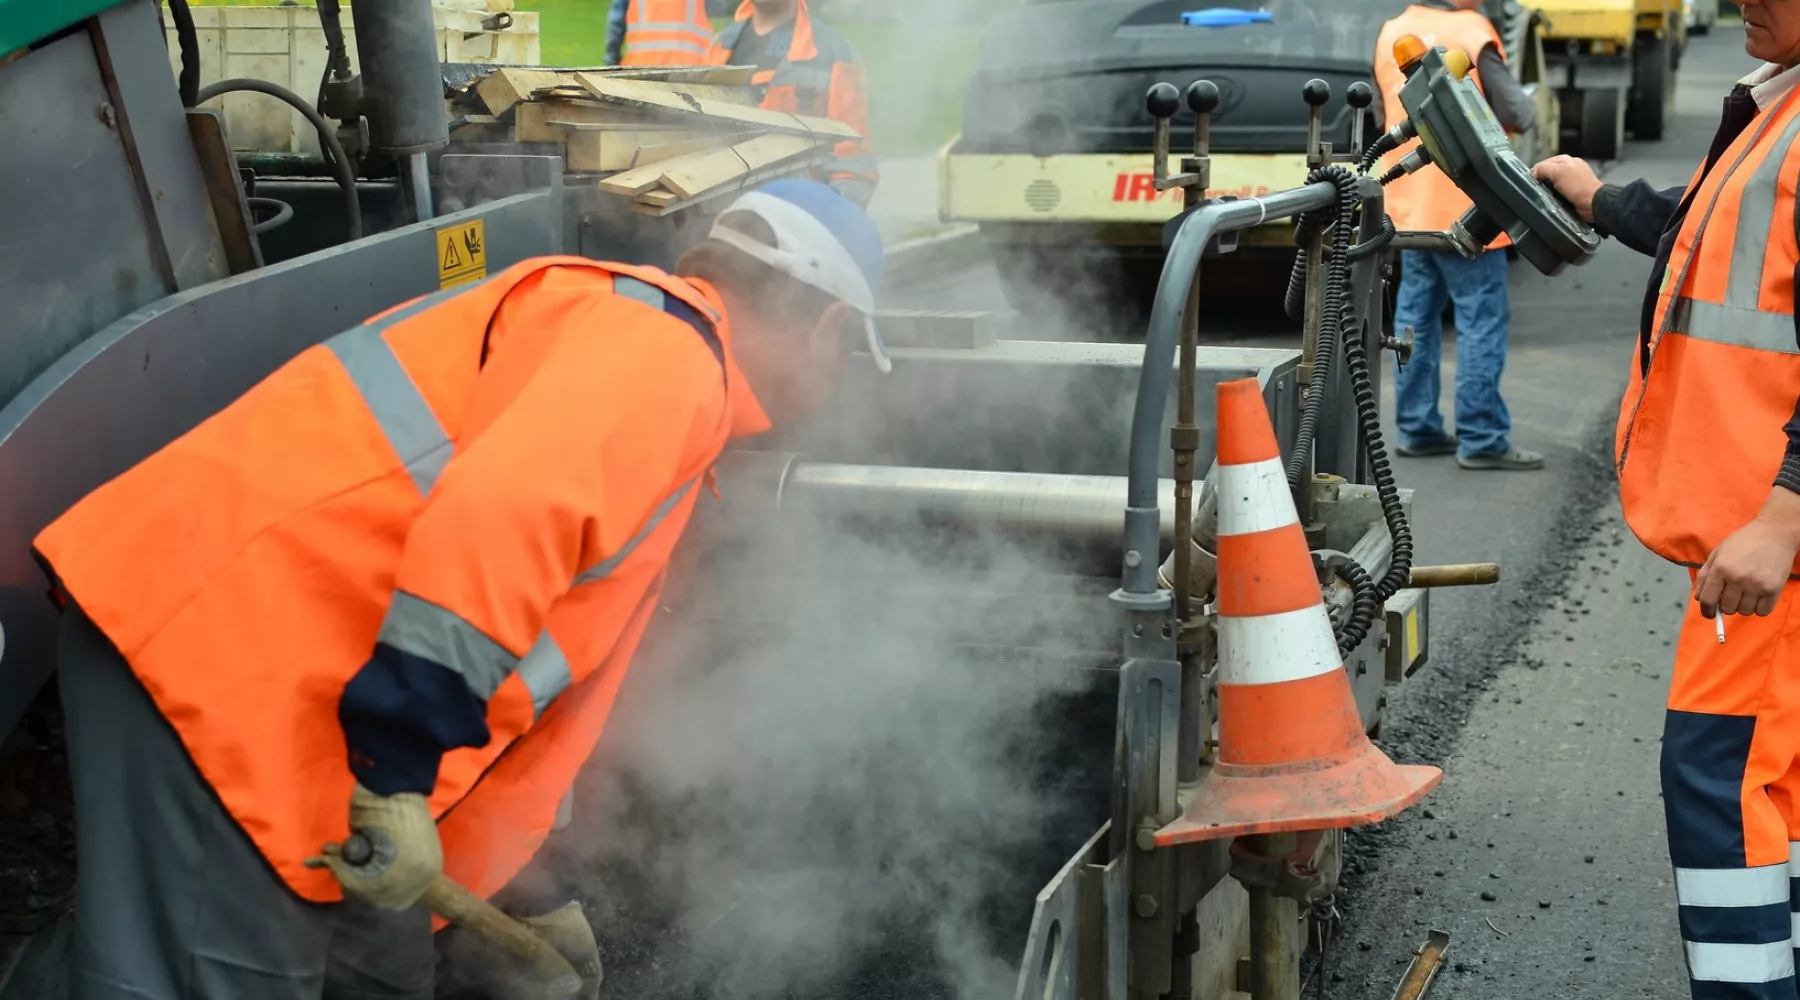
{"points": [[406, 852]]}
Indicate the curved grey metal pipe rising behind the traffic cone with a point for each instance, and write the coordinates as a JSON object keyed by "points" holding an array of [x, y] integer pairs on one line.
{"points": [[1182, 269]]}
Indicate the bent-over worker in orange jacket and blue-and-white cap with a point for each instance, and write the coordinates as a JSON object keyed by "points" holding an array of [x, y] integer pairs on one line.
{"points": [[395, 589]]}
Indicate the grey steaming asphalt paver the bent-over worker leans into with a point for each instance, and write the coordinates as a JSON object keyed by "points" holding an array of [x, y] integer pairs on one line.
{"points": [[948, 645]]}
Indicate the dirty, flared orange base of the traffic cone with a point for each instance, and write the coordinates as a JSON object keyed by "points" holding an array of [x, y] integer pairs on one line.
{"points": [[1358, 789]]}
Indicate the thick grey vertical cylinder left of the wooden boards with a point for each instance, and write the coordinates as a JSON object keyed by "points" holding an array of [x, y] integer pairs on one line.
{"points": [[404, 91]]}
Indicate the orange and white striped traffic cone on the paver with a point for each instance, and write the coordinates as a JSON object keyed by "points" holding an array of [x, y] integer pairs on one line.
{"points": [[1291, 747]]}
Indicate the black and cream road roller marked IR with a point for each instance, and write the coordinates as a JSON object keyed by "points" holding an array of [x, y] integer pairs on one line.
{"points": [[1050, 161]]}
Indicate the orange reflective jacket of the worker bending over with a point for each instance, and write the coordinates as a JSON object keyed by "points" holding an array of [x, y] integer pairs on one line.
{"points": [[489, 481]]}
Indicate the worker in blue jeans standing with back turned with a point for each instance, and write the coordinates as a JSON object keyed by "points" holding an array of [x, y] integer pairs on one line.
{"points": [[1430, 280]]}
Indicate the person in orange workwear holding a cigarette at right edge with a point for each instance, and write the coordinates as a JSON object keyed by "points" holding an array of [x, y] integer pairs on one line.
{"points": [[1709, 478]]}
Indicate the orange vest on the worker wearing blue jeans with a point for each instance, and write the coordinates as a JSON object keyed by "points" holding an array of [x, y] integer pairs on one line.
{"points": [[1428, 201]]}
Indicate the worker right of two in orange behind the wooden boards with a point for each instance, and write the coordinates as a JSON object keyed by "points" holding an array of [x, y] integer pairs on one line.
{"points": [[805, 69]]}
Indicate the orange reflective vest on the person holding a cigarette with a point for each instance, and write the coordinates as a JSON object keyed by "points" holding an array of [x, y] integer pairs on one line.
{"points": [[1700, 434]]}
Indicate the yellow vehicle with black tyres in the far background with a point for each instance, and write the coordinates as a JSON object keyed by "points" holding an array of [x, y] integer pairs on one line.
{"points": [[1614, 67]]}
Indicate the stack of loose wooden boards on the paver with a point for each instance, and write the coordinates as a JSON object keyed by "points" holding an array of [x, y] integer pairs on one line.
{"points": [[665, 139]]}
